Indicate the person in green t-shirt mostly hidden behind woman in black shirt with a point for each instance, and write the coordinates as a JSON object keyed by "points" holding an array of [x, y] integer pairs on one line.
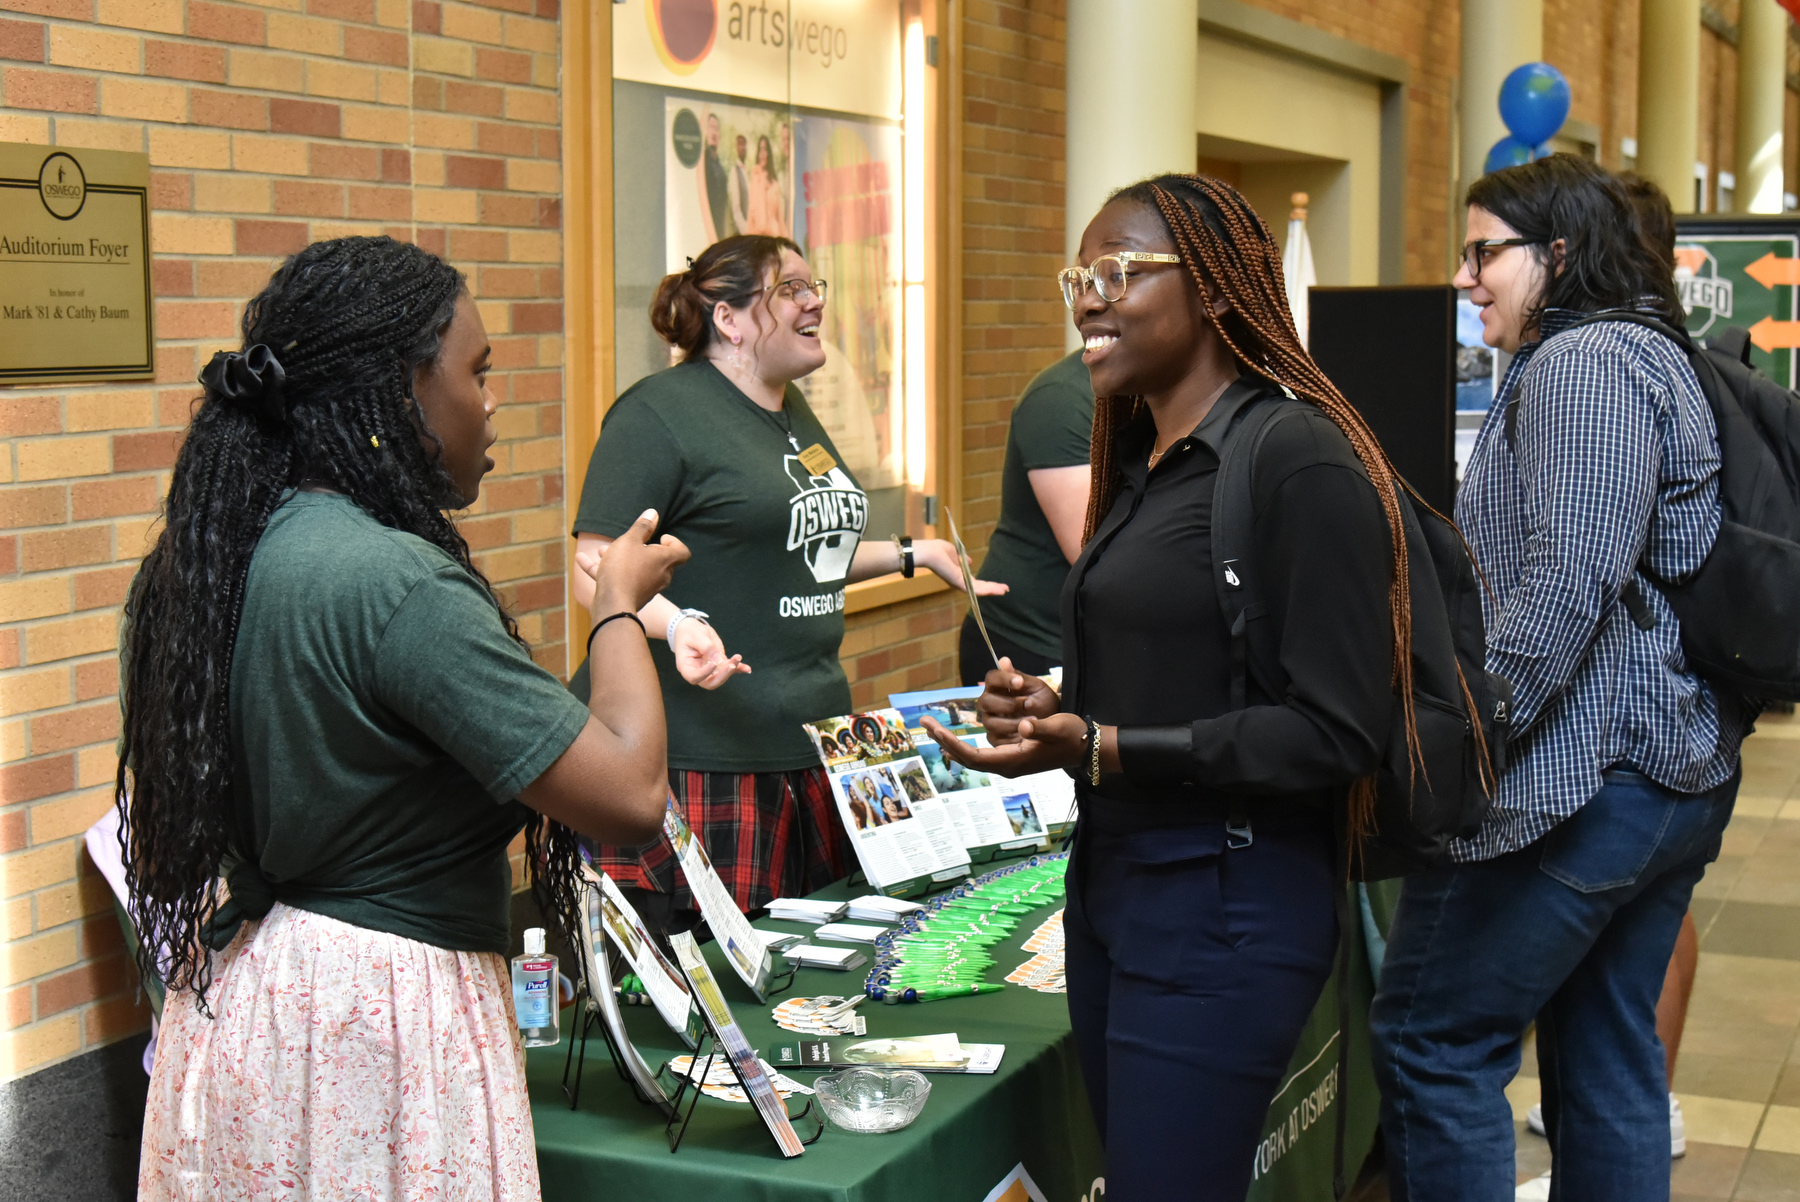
{"points": [[1043, 508]]}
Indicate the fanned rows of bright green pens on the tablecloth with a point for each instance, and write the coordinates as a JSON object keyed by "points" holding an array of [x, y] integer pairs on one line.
{"points": [[944, 949]]}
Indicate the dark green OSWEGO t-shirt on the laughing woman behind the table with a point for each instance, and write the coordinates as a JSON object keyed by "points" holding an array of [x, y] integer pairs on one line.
{"points": [[771, 550]]}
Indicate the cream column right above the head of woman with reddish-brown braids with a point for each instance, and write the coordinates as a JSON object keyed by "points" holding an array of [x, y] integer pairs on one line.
{"points": [[1133, 71]]}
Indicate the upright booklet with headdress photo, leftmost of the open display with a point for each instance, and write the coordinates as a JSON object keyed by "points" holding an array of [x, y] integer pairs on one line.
{"points": [[904, 834]]}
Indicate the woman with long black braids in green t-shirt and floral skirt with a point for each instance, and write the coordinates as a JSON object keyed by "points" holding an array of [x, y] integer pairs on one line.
{"points": [[327, 704]]}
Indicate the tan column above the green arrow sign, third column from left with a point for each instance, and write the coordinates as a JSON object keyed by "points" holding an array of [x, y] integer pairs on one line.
{"points": [[1669, 98]]}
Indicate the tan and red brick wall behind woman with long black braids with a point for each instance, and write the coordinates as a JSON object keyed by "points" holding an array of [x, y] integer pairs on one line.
{"points": [[267, 127]]}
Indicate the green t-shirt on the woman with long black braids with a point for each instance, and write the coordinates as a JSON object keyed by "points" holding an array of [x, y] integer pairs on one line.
{"points": [[382, 724]]}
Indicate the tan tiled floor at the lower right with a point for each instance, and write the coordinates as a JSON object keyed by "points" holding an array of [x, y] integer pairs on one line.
{"points": [[1740, 1068]]}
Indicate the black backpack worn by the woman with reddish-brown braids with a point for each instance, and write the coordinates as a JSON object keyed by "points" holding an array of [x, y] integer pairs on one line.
{"points": [[1461, 710]]}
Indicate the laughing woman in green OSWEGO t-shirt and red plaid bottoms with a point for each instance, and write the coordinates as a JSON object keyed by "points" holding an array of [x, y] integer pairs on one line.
{"points": [[724, 447]]}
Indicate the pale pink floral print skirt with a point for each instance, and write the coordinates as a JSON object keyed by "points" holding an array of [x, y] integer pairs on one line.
{"points": [[341, 1063]]}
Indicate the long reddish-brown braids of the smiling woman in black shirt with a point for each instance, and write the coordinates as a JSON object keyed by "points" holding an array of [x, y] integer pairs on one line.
{"points": [[1223, 240]]}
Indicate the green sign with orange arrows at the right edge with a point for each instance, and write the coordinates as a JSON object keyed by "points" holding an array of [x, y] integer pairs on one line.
{"points": [[1745, 273]]}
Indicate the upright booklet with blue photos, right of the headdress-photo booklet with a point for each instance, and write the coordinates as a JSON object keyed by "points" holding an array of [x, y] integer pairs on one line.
{"points": [[1002, 816]]}
